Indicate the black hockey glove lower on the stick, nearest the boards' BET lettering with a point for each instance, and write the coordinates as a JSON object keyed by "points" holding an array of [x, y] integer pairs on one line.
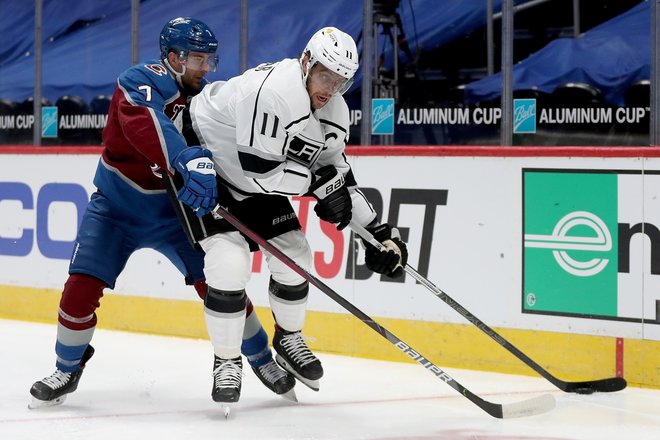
{"points": [[392, 261]]}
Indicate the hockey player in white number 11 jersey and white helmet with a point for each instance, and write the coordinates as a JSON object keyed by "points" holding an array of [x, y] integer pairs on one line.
{"points": [[278, 130]]}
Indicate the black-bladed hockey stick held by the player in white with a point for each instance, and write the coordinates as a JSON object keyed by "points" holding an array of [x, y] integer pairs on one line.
{"points": [[584, 387]]}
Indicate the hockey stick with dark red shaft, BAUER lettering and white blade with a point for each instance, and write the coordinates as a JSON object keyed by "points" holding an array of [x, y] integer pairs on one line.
{"points": [[529, 407]]}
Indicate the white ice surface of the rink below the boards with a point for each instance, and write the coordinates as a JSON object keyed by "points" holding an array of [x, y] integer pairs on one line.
{"points": [[143, 386]]}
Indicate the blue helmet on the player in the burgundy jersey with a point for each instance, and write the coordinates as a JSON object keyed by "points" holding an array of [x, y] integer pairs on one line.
{"points": [[185, 34]]}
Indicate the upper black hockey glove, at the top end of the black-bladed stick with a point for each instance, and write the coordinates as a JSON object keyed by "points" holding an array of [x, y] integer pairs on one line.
{"points": [[333, 201]]}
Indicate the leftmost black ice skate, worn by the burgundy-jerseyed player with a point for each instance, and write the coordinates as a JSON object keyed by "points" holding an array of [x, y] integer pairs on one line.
{"points": [[53, 390]]}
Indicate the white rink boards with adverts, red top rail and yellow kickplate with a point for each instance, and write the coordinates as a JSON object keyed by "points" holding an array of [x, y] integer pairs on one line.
{"points": [[559, 250]]}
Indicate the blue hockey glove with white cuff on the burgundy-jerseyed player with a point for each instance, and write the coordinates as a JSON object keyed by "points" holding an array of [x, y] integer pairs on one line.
{"points": [[199, 189]]}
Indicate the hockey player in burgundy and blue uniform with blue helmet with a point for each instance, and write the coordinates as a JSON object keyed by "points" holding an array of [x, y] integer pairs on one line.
{"points": [[131, 209]]}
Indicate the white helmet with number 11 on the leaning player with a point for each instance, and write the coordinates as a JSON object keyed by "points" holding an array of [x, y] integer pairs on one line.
{"points": [[336, 50]]}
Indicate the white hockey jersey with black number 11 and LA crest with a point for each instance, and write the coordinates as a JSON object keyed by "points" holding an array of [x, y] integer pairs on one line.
{"points": [[266, 138]]}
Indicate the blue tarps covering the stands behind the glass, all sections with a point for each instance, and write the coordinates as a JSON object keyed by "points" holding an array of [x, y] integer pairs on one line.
{"points": [[86, 43]]}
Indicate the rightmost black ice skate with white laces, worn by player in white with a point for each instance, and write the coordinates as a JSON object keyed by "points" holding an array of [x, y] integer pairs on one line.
{"points": [[295, 357]]}
